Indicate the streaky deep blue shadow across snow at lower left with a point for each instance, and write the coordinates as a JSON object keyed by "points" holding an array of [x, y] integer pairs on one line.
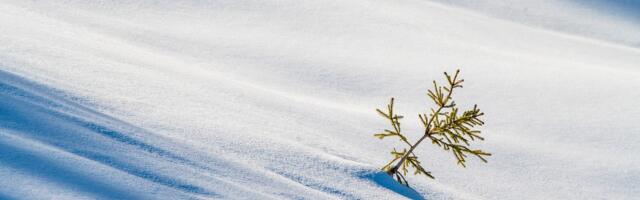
{"points": [[33, 114]]}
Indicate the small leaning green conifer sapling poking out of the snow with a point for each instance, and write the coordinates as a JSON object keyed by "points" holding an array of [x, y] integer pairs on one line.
{"points": [[445, 126]]}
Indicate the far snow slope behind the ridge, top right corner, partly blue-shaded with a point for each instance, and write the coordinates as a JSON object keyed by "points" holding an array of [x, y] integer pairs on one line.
{"points": [[610, 20]]}
